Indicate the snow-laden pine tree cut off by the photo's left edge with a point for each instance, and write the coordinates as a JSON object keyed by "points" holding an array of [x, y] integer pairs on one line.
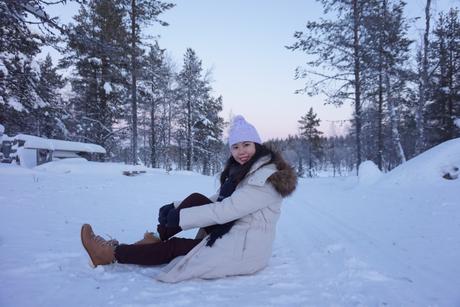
{"points": [[18, 47]]}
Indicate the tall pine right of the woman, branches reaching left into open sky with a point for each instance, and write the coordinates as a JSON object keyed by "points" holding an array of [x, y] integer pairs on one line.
{"points": [[337, 47]]}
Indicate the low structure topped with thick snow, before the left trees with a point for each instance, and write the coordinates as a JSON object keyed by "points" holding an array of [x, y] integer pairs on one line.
{"points": [[31, 150]]}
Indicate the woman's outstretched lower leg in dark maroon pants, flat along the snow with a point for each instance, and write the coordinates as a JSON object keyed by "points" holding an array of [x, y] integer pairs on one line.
{"points": [[156, 253]]}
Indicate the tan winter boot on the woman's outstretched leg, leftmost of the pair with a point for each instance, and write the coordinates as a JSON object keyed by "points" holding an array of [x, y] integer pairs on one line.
{"points": [[99, 250]]}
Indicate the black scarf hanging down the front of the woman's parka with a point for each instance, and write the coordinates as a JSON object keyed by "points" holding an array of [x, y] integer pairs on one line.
{"points": [[226, 189]]}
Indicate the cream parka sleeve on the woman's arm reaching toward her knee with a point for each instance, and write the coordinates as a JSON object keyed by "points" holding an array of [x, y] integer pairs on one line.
{"points": [[242, 202]]}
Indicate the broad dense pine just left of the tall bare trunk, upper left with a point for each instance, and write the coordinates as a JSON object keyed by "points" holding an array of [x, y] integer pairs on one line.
{"points": [[95, 49]]}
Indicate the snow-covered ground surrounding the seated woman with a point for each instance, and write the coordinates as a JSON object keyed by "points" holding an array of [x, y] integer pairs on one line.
{"points": [[374, 240]]}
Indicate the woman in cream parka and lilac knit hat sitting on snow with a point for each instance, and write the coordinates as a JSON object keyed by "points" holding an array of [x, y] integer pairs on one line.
{"points": [[238, 224]]}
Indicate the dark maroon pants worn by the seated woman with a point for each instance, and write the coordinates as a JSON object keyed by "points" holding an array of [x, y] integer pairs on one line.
{"points": [[169, 248]]}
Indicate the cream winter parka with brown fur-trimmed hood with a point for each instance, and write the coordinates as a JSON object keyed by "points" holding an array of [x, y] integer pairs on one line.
{"points": [[247, 247]]}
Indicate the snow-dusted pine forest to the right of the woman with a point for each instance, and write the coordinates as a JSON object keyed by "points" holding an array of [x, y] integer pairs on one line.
{"points": [[405, 91]]}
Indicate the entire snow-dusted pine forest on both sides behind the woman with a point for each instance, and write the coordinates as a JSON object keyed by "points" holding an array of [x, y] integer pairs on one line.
{"points": [[115, 86]]}
